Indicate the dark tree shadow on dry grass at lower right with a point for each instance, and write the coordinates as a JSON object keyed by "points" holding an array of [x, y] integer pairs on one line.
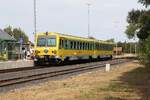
{"points": [[138, 80]]}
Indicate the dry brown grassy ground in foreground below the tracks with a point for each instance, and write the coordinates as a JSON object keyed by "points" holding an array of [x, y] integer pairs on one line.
{"points": [[123, 82]]}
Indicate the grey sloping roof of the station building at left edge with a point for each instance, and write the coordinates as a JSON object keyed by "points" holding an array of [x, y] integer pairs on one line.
{"points": [[5, 36]]}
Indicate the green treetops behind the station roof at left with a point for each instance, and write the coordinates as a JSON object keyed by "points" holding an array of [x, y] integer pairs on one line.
{"points": [[17, 33]]}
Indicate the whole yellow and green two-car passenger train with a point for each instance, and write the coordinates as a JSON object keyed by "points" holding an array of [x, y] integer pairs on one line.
{"points": [[54, 47]]}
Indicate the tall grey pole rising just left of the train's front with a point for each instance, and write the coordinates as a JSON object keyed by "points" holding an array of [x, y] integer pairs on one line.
{"points": [[35, 30]]}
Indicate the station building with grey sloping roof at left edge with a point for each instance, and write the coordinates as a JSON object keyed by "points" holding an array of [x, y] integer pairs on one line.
{"points": [[8, 46]]}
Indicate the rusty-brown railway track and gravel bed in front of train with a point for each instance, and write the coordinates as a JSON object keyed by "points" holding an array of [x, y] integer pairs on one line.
{"points": [[23, 76]]}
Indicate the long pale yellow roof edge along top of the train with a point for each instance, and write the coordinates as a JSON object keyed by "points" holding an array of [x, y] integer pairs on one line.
{"points": [[76, 37]]}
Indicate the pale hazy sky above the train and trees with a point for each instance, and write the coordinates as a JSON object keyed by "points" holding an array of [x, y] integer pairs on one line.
{"points": [[107, 17]]}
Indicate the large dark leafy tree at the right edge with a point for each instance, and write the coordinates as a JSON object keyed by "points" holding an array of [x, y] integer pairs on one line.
{"points": [[139, 24]]}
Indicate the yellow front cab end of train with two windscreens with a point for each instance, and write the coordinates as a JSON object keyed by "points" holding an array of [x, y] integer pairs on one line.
{"points": [[46, 48]]}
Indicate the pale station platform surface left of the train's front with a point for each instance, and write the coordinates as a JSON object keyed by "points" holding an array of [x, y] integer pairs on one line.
{"points": [[15, 64]]}
